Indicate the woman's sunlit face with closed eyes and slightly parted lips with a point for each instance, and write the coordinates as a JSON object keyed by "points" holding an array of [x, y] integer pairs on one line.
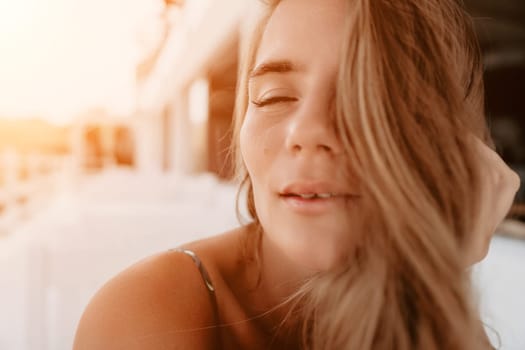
{"points": [[296, 164]]}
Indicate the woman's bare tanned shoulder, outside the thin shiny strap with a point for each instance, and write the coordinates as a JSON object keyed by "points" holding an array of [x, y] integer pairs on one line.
{"points": [[160, 302]]}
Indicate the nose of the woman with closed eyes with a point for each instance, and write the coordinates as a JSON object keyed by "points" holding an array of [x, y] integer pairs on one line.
{"points": [[312, 130]]}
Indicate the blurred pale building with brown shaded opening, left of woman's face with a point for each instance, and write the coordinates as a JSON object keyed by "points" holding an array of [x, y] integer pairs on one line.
{"points": [[202, 45]]}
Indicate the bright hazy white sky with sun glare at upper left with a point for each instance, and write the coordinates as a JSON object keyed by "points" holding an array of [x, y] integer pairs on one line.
{"points": [[59, 58]]}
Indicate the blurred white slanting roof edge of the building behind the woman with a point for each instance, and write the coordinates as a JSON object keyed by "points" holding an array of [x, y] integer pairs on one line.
{"points": [[190, 47]]}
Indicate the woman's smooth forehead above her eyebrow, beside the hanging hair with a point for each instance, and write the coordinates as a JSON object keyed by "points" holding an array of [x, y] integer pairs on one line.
{"points": [[307, 32]]}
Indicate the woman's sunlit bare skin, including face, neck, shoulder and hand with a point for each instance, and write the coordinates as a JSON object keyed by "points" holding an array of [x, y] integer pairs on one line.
{"points": [[288, 144]]}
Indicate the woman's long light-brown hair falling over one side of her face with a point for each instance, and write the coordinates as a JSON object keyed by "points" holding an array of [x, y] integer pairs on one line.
{"points": [[409, 92]]}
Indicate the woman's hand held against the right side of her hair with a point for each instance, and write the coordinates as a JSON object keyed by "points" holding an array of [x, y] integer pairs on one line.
{"points": [[499, 185]]}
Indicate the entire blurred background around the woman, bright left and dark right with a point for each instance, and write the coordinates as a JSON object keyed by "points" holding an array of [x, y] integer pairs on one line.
{"points": [[114, 128]]}
